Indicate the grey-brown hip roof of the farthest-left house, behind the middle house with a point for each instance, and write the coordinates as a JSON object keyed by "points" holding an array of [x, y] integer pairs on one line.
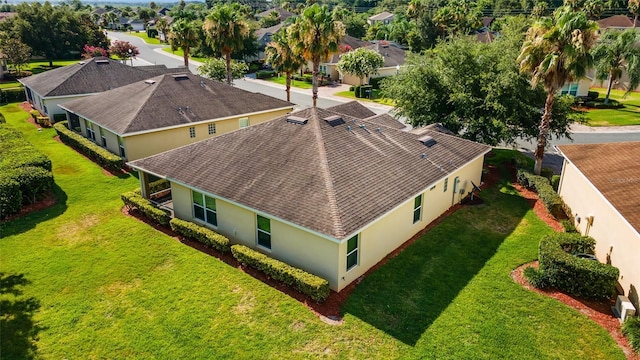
{"points": [[88, 77]]}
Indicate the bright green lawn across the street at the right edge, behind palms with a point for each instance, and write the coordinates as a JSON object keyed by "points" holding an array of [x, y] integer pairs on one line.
{"points": [[629, 115]]}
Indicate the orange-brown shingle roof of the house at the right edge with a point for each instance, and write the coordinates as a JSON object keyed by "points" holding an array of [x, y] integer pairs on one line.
{"points": [[614, 169]]}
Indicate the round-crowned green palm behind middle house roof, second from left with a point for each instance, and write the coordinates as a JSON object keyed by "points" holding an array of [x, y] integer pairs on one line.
{"points": [[226, 29]]}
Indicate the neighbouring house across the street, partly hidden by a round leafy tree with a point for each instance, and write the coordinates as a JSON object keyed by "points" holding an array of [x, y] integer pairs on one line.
{"points": [[394, 59]]}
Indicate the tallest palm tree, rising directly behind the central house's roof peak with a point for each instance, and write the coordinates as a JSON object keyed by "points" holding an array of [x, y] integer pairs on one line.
{"points": [[315, 36]]}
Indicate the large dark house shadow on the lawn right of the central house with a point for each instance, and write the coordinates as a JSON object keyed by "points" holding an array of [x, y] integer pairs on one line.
{"points": [[406, 295]]}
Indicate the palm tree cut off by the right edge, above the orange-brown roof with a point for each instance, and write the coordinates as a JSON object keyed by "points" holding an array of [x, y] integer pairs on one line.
{"points": [[615, 53]]}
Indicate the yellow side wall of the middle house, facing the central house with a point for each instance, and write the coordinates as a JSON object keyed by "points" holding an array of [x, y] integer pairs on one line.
{"points": [[143, 145]]}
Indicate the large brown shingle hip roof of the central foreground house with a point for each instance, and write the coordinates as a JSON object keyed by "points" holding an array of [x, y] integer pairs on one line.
{"points": [[331, 179]]}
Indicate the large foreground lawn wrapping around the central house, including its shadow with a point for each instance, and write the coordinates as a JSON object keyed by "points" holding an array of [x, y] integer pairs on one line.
{"points": [[81, 280]]}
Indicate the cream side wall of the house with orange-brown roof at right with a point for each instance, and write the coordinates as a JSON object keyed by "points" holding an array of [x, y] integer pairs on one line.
{"points": [[609, 228]]}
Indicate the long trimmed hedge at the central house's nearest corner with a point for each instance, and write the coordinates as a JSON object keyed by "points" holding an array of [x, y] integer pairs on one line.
{"points": [[314, 286]]}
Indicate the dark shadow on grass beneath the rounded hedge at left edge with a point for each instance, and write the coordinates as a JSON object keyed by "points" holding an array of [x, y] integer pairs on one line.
{"points": [[29, 221]]}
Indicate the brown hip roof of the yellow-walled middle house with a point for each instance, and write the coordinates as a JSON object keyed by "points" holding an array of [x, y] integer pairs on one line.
{"points": [[169, 100]]}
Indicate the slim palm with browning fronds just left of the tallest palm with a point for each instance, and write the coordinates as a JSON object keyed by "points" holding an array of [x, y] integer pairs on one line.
{"points": [[281, 56]]}
